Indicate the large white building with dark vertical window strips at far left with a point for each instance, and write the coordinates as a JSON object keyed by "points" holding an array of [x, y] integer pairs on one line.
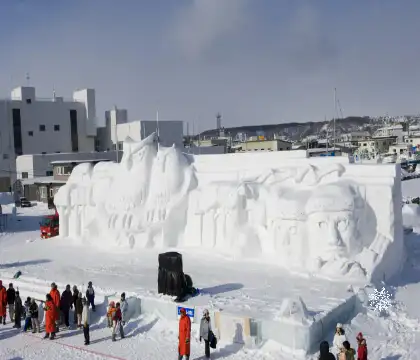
{"points": [[31, 125]]}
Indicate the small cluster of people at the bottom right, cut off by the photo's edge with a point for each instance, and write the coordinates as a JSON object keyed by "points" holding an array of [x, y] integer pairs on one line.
{"points": [[342, 347]]}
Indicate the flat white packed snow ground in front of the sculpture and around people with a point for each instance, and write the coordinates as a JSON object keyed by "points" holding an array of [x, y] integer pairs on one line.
{"points": [[228, 284]]}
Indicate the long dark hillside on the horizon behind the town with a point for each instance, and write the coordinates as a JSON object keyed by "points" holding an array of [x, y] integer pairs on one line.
{"points": [[298, 131]]}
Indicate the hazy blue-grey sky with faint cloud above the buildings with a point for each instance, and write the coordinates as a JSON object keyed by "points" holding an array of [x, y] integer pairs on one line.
{"points": [[255, 61]]}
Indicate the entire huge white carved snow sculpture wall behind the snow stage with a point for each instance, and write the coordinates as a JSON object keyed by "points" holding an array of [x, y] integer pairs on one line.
{"points": [[324, 216]]}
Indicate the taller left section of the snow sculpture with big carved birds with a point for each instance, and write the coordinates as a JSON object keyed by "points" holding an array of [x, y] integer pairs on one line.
{"points": [[138, 200]]}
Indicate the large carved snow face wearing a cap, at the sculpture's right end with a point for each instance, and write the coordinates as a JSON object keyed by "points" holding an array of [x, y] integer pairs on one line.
{"points": [[333, 213]]}
